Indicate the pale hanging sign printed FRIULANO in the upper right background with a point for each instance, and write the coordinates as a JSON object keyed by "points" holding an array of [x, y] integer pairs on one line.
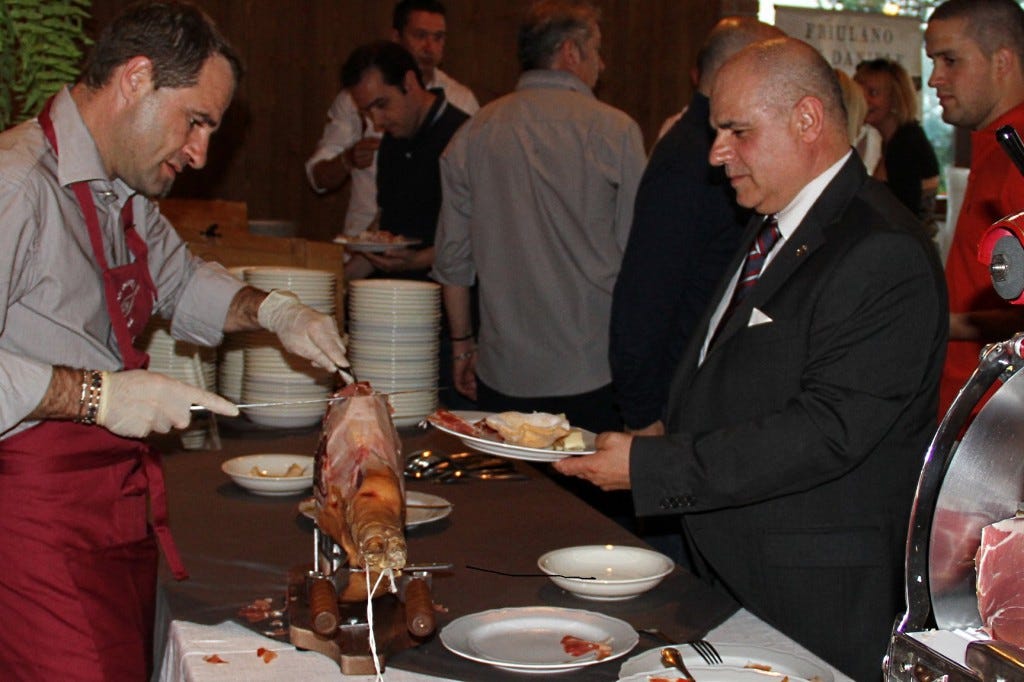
{"points": [[849, 38]]}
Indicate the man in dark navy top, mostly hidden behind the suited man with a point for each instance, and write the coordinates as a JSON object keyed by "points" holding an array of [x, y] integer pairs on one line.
{"points": [[687, 226]]}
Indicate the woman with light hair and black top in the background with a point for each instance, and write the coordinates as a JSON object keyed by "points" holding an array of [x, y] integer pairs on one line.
{"points": [[910, 167]]}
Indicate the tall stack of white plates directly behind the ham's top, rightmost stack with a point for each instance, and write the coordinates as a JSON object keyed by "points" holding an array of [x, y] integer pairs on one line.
{"points": [[394, 329]]}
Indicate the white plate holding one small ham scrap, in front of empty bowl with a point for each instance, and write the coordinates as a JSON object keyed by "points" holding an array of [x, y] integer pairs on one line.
{"points": [[529, 640]]}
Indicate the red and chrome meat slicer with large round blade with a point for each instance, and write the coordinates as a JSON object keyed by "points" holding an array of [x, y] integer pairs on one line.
{"points": [[965, 486]]}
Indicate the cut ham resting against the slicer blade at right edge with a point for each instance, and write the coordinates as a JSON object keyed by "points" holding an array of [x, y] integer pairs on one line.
{"points": [[1001, 577]]}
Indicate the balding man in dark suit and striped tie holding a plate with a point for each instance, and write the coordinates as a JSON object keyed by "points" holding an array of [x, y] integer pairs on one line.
{"points": [[801, 411]]}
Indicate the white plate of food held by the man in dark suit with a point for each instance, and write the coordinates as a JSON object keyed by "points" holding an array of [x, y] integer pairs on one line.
{"points": [[536, 437]]}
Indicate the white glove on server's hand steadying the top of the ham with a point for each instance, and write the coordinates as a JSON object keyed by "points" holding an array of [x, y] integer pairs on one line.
{"points": [[303, 330]]}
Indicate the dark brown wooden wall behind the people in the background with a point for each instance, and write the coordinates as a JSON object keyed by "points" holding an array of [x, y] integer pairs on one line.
{"points": [[293, 53]]}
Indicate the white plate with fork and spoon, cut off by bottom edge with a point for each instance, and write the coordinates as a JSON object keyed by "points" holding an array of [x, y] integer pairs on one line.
{"points": [[735, 659]]}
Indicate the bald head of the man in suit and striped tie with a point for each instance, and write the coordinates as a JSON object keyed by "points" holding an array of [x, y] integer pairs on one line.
{"points": [[779, 111]]}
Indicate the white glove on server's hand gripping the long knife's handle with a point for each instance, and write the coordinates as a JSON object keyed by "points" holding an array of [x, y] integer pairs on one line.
{"points": [[138, 403]]}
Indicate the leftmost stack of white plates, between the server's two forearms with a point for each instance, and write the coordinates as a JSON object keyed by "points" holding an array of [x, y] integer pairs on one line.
{"points": [[188, 363]]}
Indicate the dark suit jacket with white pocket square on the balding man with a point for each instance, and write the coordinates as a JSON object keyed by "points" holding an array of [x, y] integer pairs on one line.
{"points": [[795, 448]]}
